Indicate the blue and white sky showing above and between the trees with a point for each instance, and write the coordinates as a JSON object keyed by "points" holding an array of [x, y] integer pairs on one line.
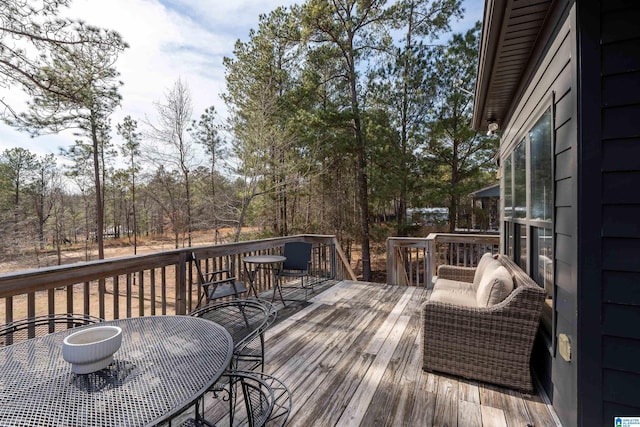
{"points": [[171, 39]]}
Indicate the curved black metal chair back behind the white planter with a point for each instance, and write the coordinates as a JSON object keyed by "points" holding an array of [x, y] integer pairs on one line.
{"points": [[24, 329]]}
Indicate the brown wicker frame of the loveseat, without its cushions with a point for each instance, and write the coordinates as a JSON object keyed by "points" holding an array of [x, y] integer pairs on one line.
{"points": [[491, 344]]}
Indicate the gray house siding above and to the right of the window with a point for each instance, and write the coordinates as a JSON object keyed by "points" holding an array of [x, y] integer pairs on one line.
{"points": [[554, 84]]}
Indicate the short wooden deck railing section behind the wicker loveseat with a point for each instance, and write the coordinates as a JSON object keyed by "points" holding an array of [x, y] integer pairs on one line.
{"points": [[414, 261]]}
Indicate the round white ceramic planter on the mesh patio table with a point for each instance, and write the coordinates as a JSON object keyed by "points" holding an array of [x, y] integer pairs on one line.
{"points": [[91, 349]]}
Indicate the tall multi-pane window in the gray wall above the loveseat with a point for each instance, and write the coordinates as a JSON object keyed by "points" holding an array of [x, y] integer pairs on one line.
{"points": [[527, 180]]}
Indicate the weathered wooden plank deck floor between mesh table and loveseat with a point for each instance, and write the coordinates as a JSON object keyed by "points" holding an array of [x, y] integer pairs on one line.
{"points": [[353, 357]]}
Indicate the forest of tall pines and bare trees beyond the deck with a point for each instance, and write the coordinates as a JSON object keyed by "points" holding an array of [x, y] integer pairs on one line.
{"points": [[341, 115]]}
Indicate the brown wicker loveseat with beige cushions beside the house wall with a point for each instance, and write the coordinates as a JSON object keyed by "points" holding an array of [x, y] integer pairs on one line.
{"points": [[490, 343]]}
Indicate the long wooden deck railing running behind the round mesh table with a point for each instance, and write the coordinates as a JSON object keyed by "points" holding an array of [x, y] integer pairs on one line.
{"points": [[159, 283]]}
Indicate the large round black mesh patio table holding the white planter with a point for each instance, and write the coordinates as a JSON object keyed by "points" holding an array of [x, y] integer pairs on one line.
{"points": [[164, 365]]}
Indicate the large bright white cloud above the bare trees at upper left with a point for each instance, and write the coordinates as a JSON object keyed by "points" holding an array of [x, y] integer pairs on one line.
{"points": [[164, 46]]}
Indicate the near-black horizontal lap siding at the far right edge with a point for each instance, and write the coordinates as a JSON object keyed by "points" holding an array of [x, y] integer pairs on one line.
{"points": [[620, 66]]}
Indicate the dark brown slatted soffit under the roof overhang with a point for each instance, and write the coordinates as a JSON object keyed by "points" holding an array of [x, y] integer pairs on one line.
{"points": [[511, 32]]}
